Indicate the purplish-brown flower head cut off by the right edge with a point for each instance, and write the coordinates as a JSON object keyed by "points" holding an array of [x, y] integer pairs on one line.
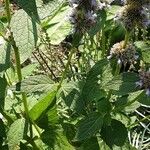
{"points": [[144, 82]]}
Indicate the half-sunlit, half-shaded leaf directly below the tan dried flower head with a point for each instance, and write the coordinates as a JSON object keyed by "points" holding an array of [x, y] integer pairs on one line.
{"points": [[123, 84]]}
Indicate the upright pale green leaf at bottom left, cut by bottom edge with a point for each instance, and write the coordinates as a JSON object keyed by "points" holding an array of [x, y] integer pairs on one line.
{"points": [[15, 134]]}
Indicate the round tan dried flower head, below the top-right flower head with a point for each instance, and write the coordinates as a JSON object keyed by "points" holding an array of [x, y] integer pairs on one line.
{"points": [[124, 55]]}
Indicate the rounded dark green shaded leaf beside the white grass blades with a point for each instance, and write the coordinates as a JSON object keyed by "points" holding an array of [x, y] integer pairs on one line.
{"points": [[115, 134]]}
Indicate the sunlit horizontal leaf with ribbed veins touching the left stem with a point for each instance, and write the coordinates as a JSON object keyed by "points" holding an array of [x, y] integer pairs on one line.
{"points": [[37, 83]]}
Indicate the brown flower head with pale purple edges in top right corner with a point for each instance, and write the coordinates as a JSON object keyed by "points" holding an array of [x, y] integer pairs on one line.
{"points": [[134, 14]]}
